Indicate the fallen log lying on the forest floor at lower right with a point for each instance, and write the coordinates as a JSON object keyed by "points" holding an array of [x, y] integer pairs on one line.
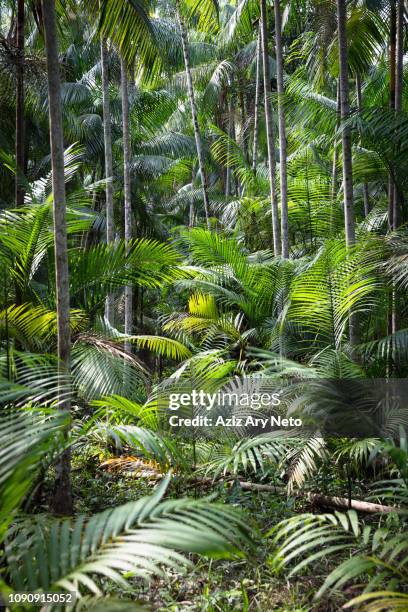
{"points": [[323, 500]]}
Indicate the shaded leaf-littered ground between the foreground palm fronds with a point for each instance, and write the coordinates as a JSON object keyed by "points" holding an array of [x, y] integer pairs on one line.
{"points": [[245, 583]]}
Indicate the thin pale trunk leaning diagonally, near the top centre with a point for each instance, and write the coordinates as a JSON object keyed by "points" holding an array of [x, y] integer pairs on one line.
{"points": [[197, 135]]}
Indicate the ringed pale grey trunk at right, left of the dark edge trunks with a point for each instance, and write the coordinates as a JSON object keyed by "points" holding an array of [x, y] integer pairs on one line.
{"points": [[346, 134]]}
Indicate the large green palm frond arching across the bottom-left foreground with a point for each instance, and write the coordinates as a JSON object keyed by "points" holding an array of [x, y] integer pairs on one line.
{"points": [[136, 539]]}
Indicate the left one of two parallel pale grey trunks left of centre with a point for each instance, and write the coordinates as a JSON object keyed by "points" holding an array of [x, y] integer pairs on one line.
{"points": [[107, 138]]}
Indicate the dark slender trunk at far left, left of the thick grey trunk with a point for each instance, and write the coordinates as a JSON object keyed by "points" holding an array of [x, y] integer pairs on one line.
{"points": [[20, 127]]}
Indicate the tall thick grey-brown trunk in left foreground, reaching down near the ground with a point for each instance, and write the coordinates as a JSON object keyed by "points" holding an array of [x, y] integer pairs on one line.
{"points": [[62, 500]]}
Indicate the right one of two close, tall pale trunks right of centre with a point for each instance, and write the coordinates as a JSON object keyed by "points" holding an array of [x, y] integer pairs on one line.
{"points": [[282, 131]]}
